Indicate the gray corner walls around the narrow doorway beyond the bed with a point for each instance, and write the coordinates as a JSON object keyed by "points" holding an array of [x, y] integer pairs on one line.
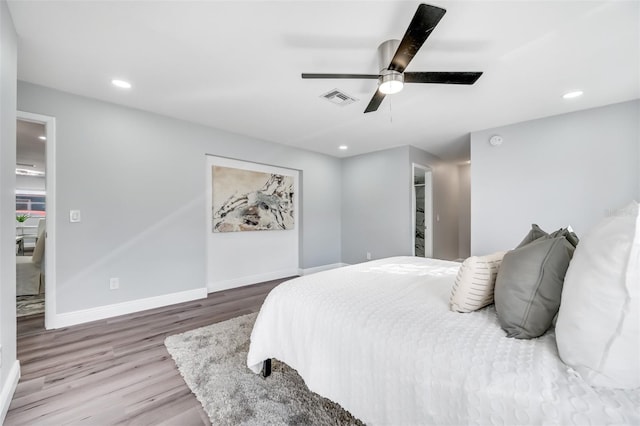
{"points": [[376, 204]]}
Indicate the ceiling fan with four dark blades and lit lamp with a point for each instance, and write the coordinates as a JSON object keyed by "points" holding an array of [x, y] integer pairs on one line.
{"points": [[394, 57]]}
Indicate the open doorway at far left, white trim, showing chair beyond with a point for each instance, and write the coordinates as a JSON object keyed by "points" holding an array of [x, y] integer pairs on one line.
{"points": [[35, 201]]}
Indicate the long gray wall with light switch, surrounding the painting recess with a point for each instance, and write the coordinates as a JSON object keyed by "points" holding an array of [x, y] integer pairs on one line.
{"points": [[139, 181]]}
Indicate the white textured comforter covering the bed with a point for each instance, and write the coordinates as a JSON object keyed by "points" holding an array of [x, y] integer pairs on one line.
{"points": [[379, 339]]}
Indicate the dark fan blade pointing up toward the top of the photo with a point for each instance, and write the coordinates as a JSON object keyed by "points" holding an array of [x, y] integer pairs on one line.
{"points": [[424, 21]]}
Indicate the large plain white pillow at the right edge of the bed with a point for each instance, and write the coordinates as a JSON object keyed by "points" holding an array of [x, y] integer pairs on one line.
{"points": [[598, 327]]}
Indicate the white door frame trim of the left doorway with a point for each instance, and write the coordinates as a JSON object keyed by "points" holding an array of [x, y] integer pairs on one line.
{"points": [[50, 202]]}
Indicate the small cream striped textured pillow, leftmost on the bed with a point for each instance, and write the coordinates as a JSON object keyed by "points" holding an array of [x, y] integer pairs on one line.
{"points": [[473, 288]]}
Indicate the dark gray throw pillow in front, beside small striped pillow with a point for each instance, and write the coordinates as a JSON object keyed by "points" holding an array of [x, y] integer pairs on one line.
{"points": [[529, 286]]}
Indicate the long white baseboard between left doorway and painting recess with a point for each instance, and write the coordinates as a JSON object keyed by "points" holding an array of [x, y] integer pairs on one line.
{"points": [[87, 315]]}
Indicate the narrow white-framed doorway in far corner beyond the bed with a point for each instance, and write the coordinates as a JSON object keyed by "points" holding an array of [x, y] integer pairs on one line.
{"points": [[422, 190]]}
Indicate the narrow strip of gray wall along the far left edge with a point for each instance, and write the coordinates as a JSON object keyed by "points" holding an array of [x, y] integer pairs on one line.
{"points": [[8, 75]]}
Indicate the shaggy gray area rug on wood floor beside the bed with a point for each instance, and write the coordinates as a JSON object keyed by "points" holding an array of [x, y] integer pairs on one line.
{"points": [[212, 361]]}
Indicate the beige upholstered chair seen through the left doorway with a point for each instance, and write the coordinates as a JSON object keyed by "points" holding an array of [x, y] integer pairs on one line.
{"points": [[30, 269]]}
